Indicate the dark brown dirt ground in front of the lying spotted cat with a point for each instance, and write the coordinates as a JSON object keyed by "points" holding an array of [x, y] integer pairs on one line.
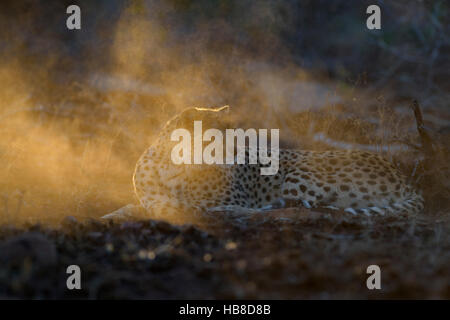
{"points": [[300, 255]]}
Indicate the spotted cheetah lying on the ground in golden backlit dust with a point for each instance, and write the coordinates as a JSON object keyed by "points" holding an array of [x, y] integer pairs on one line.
{"points": [[357, 182]]}
